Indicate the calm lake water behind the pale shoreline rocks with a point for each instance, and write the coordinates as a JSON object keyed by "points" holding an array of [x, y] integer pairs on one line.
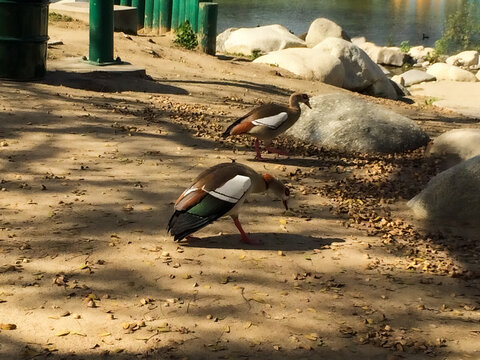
{"points": [[383, 22]]}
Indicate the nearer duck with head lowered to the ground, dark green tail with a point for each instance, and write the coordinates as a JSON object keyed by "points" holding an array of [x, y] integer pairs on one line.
{"points": [[217, 191]]}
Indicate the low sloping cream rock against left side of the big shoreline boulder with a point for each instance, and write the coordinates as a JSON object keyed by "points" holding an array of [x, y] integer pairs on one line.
{"points": [[308, 63]]}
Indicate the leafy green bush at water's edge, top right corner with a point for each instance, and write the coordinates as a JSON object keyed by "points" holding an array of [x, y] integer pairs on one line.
{"points": [[461, 32]]}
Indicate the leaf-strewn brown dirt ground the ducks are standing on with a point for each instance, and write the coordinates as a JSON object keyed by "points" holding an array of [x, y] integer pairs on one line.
{"points": [[92, 163]]}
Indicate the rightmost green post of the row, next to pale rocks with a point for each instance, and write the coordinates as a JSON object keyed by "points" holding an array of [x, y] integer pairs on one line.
{"points": [[207, 27]]}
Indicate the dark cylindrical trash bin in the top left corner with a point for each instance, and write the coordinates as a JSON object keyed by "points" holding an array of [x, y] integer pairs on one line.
{"points": [[23, 39]]}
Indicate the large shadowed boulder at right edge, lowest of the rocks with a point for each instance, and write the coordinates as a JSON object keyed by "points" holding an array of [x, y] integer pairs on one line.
{"points": [[451, 195]]}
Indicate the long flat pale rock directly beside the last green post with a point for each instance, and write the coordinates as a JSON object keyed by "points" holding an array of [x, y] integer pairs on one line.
{"points": [[263, 39]]}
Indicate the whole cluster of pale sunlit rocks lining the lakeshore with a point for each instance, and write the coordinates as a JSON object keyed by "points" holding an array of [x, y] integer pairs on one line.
{"points": [[326, 53]]}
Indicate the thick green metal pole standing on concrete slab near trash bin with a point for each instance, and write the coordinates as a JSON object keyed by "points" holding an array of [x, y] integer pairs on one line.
{"points": [[101, 31]]}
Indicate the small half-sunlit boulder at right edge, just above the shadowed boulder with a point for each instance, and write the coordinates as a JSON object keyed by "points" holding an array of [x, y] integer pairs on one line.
{"points": [[457, 145]]}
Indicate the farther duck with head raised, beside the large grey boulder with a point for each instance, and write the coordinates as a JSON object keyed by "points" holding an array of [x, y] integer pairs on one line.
{"points": [[267, 121]]}
